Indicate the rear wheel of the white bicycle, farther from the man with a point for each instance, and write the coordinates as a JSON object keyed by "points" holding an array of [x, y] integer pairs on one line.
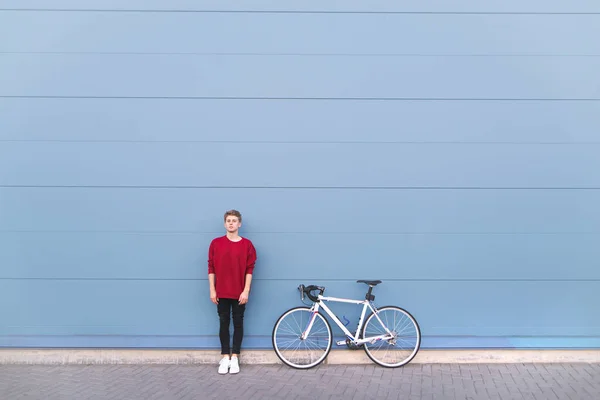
{"points": [[406, 337]]}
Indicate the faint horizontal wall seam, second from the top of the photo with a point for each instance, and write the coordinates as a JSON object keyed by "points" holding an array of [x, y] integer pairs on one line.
{"points": [[234, 54]]}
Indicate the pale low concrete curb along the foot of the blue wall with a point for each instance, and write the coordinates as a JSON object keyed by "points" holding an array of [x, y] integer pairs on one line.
{"points": [[336, 357]]}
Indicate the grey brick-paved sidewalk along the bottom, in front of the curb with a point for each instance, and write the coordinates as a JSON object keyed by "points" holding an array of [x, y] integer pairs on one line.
{"points": [[419, 381]]}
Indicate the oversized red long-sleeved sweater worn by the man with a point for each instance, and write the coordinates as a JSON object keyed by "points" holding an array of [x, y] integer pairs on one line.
{"points": [[230, 262]]}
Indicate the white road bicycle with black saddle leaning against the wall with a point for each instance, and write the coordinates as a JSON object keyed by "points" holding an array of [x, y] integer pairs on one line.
{"points": [[302, 336]]}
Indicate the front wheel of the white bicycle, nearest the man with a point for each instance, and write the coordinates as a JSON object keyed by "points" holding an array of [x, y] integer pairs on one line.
{"points": [[291, 348]]}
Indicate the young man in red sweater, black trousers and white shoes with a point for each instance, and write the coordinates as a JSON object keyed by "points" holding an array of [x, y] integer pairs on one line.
{"points": [[231, 261]]}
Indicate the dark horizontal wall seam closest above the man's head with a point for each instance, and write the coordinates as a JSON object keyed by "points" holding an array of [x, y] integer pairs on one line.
{"points": [[300, 187]]}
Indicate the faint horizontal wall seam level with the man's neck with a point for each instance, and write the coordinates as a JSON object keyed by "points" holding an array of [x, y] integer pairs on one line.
{"points": [[152, 232]]}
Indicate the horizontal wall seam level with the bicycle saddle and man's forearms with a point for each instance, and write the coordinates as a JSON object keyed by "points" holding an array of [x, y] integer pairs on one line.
{"points": [[307, 281]]}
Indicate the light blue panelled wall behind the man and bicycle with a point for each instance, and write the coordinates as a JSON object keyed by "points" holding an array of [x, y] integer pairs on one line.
{"points": [[451, 149]]}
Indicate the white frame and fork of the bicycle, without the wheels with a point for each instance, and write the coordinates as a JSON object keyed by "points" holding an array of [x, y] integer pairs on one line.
{"points": [[366, 305]]}
